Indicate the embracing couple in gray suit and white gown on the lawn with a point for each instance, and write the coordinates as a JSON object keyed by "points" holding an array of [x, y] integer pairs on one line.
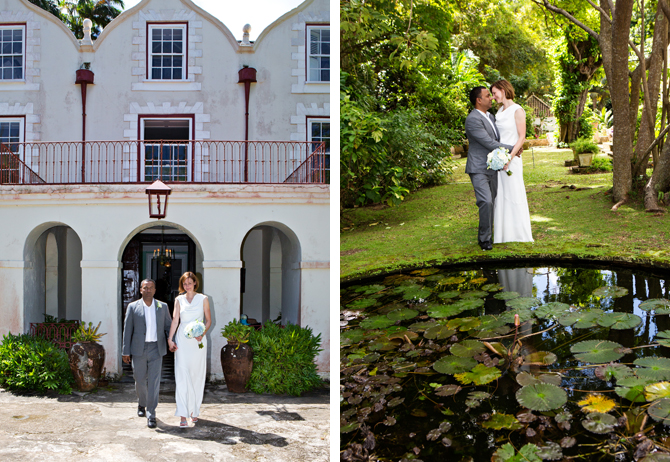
{"points": [[501, 195]]}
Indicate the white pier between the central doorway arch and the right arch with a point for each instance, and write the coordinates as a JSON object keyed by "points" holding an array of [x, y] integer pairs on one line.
{"points": [[223, 291]]}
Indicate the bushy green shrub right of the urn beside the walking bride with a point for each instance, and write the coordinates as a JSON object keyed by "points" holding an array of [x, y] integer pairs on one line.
{"points": [[284, 360]]}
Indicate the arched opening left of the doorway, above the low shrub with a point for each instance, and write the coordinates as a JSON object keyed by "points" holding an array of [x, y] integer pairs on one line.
{"points": [[52, 274]]}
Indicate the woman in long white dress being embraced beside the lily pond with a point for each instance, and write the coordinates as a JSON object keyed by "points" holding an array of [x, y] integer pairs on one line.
{"points": [[511, 218]]}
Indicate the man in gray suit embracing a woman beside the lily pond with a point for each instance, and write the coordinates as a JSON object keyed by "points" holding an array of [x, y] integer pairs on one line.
{"points": [[483, 137]]}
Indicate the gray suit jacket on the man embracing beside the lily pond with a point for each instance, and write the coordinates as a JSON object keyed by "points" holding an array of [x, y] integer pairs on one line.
{"points": [[483, 139]]}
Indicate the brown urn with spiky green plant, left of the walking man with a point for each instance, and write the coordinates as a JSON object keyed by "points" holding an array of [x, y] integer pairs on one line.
{"points": [[86, 357]]}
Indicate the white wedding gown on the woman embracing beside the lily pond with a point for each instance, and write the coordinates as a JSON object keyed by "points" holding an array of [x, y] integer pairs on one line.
{"points": [[511, 218]]}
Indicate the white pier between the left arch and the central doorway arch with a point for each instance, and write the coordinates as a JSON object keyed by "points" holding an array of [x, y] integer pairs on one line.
{"points": [[101, 302]]}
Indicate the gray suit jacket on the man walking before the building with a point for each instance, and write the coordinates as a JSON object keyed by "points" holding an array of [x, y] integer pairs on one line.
{"points": [[135, 328]]}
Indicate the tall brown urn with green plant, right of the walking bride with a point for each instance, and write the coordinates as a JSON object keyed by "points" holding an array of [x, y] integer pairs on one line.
{"points": [[237, 357]]}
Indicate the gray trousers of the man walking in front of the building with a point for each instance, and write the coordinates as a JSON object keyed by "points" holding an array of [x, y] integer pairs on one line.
{"points": [[147, 373]]}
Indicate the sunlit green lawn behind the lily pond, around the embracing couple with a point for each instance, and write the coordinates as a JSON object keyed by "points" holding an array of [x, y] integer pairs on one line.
{"points": [[571, 217]]}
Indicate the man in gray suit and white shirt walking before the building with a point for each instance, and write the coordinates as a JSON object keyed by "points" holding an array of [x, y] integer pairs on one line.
{"points": [[145, 332]]}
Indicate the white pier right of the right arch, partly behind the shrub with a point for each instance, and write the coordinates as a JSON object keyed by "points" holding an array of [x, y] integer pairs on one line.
{"points": [[314, 306]]}
